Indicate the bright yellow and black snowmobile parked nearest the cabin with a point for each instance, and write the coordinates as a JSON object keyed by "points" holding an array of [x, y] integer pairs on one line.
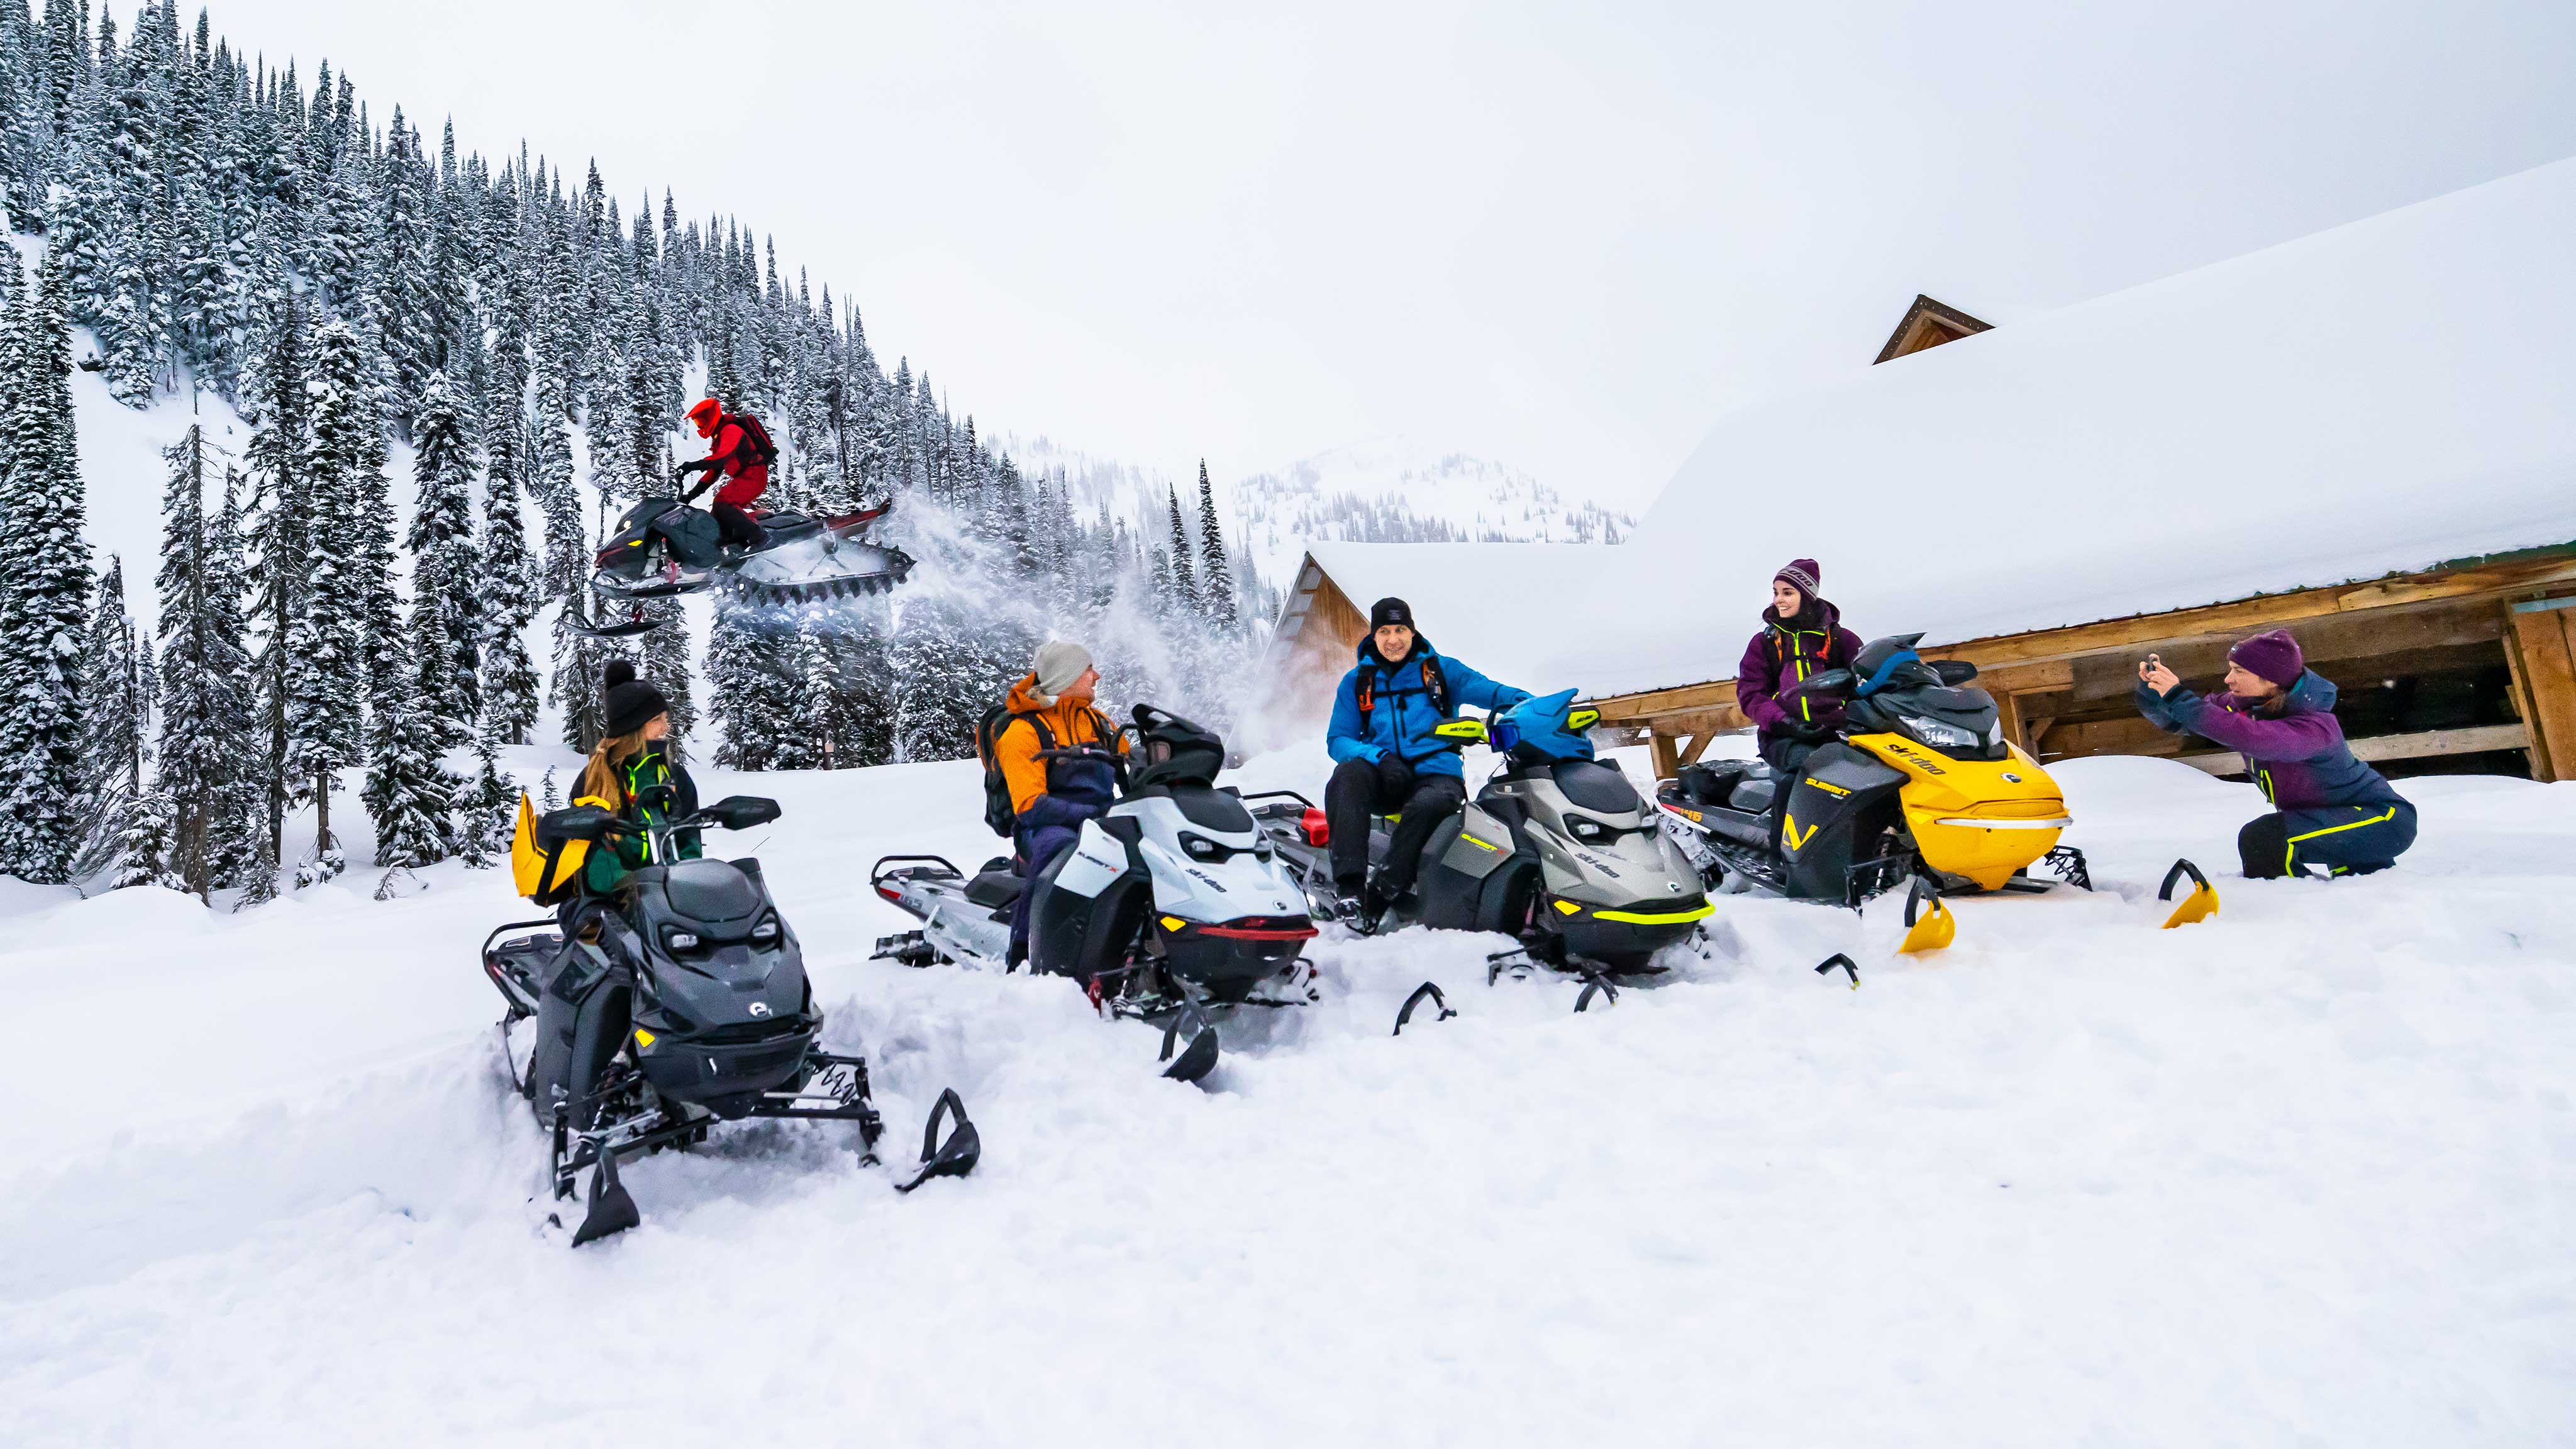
{"points": [[1920, 783]]}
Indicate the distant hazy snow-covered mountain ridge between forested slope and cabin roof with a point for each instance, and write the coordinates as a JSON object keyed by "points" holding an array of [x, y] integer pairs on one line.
{"points": [[1385, 491]]}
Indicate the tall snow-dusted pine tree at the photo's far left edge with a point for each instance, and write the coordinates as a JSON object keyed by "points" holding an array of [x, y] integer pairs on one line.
{"points": [[45, 587]]}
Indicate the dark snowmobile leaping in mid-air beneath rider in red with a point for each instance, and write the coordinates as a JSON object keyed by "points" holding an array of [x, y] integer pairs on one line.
{"points": [[663, 548]]}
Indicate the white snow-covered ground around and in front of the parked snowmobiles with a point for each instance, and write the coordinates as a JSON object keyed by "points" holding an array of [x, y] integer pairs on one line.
{"points": [[2302, 1172]]}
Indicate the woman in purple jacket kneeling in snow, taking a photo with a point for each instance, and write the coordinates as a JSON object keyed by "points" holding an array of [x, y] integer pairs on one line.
{"points": [[2330, 811]]}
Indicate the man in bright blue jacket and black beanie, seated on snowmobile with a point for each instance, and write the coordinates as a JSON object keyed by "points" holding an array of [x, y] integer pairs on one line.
{"points": [[1387, 757]]}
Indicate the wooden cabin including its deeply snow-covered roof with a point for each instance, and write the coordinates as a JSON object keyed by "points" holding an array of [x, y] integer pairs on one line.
{"points": [[2163, 471]]}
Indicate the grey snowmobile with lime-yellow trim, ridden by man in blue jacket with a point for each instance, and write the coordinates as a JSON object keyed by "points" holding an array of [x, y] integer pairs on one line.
{"points": [[1557, 850]]}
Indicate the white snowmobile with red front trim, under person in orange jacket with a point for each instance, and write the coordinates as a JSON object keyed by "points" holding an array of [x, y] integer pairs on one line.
{"points": [[1171, 909]]}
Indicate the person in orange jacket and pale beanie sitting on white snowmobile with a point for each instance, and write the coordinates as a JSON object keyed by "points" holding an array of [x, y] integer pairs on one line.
{"points": [[1060, 759]]}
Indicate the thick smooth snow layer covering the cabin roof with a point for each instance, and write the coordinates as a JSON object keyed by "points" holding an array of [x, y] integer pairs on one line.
{"points": [[2369, 401]]}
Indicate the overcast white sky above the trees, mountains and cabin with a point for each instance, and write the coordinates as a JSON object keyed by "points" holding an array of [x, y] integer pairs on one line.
{"points": [[1557, 236]]}
